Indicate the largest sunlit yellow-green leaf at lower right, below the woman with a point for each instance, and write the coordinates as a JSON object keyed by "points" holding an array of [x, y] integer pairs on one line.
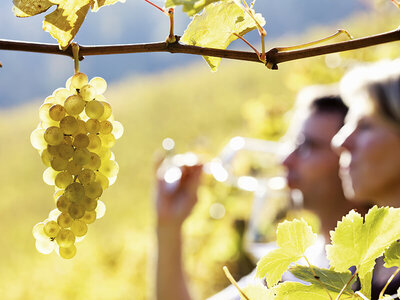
{"points": [[363, 242]]}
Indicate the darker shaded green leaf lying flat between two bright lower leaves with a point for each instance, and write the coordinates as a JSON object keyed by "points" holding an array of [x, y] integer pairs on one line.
{"points": [[332, 280]]}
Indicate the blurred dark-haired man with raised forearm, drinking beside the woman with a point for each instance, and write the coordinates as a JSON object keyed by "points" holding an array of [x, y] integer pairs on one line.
{"points": [[312, 168]]}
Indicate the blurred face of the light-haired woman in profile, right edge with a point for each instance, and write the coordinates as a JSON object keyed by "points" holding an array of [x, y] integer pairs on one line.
{"points": [[371, 148]]}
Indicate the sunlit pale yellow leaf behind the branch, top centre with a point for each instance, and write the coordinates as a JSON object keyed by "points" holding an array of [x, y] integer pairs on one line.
{"points": [[215, 28]]}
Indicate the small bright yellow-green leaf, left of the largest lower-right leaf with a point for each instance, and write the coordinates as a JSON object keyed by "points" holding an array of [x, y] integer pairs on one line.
{"points": [[293, 238]]}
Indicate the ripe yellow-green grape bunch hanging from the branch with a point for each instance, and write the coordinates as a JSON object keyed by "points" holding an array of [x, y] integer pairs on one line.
{"points": [[74, 137]]}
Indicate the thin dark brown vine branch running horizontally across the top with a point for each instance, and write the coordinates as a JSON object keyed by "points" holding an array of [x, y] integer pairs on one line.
{"points": [[273, 56]]}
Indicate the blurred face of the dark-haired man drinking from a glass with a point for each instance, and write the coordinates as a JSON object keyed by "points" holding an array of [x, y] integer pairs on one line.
{"points": [[313, 166]]}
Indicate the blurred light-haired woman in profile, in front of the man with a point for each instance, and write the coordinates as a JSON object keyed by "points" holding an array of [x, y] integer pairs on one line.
{"points": [[369, 144]]}
